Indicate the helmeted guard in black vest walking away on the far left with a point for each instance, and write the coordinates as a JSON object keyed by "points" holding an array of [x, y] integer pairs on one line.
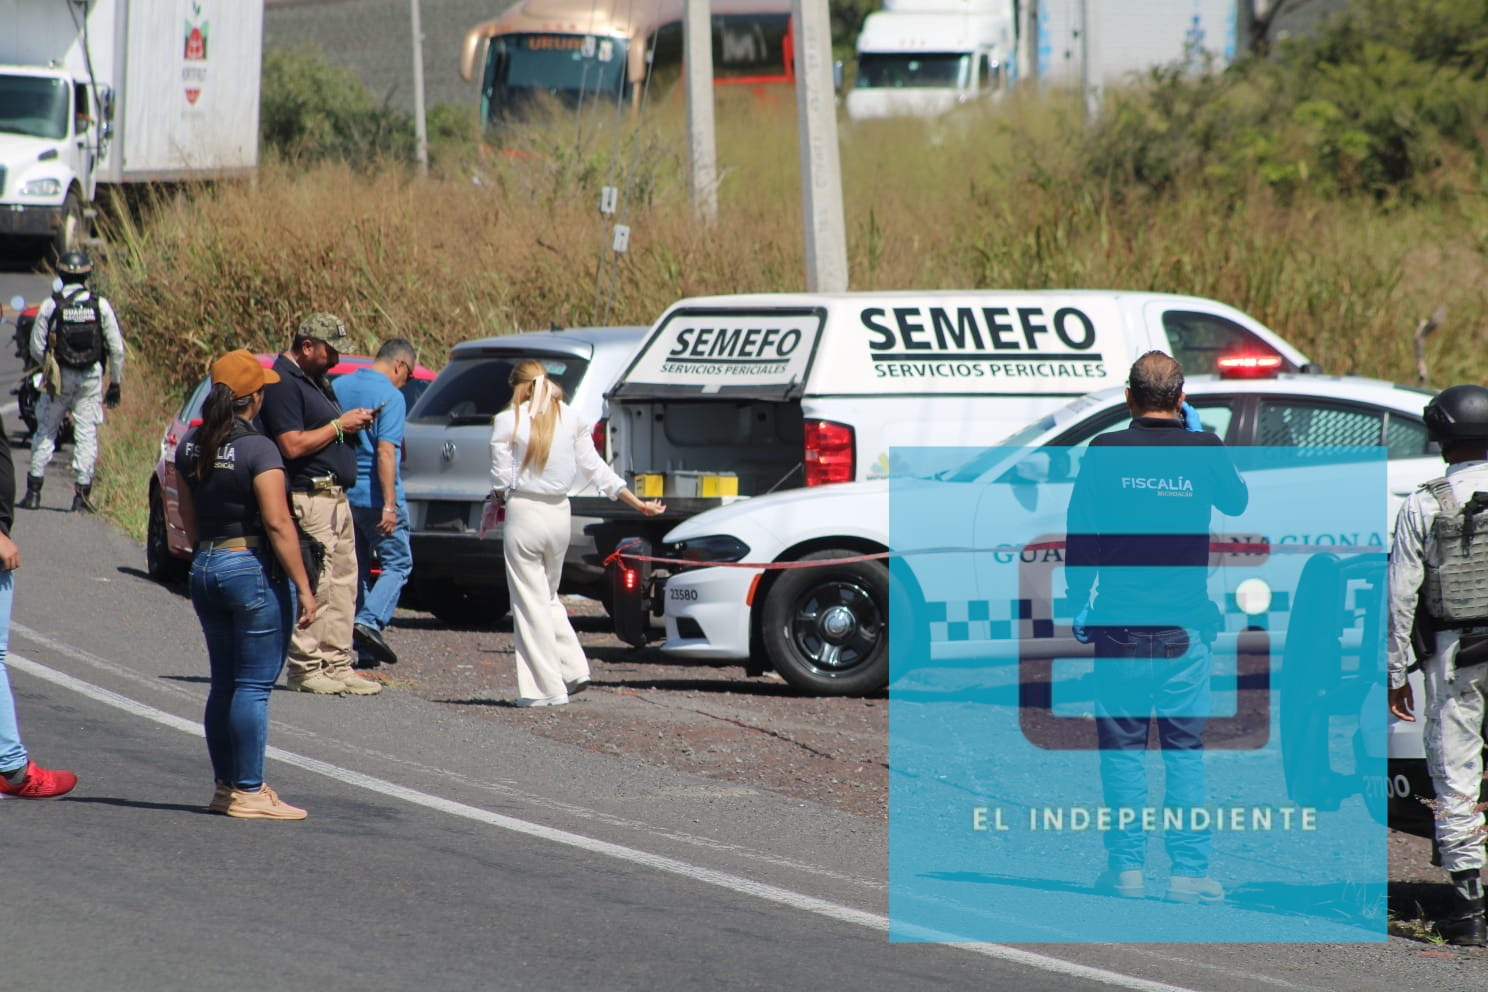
{"points": [[77, 331]]}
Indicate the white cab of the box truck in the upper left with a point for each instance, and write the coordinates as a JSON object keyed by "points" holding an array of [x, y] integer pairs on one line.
{"points": [[51, 142]]}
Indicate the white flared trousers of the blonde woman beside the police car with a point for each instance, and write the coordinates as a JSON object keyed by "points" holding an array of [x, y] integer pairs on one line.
{"points": [[535, 541]]}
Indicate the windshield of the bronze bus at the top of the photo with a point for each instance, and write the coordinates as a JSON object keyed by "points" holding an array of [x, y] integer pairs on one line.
{"points": [[566, 68]]}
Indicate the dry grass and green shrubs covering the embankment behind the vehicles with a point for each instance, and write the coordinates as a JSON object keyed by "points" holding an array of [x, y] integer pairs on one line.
{"points": [[1333, 191]]}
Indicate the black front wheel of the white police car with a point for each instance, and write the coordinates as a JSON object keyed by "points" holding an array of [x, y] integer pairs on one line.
{"points": [[827, 630]]}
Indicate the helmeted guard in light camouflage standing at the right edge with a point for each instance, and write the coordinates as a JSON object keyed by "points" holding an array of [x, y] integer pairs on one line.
{"points": [[1440, 566]]}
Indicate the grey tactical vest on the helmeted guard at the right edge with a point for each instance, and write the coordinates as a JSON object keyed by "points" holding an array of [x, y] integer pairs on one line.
{"points": [[1457, 564]]}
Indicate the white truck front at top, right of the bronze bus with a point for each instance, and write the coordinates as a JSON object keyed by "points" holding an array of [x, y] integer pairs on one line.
{"points": [[926, 57]]}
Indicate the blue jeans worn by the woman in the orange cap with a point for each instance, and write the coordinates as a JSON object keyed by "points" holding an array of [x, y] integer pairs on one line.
{"points": [[248, 619]]}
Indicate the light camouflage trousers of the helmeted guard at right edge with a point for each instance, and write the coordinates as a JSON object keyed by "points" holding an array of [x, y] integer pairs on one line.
{"points": [[1455, 755]]}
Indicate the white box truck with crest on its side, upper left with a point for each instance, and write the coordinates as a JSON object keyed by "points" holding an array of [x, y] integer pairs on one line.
{"points": [[96, 93]]}
